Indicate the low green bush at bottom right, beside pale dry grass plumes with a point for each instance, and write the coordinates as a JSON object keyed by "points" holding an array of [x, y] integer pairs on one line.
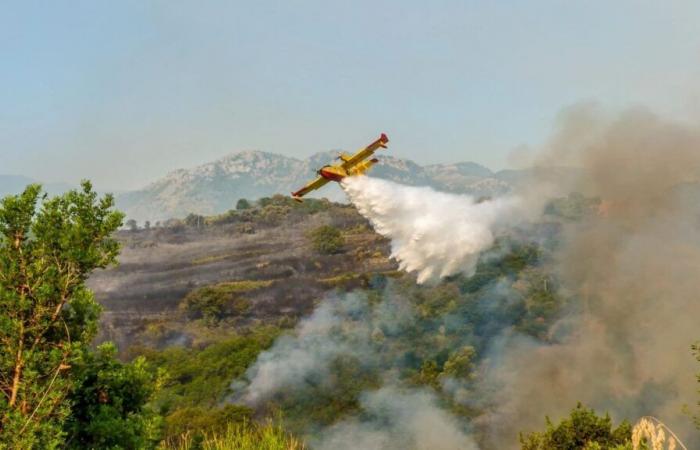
{"points": [[584, 430]]}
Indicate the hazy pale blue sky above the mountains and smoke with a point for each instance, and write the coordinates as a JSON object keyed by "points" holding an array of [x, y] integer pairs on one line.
{"points": [[123, 92]]}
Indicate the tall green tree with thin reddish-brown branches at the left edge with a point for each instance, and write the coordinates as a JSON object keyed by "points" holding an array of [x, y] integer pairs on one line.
{"points": [[48, 316]]}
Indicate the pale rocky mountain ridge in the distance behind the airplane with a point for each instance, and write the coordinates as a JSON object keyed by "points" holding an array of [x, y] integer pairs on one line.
{"points": [[215, 187]]}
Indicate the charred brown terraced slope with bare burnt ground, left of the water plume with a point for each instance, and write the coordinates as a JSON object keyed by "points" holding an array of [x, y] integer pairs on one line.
{"points": [[270, 263]]}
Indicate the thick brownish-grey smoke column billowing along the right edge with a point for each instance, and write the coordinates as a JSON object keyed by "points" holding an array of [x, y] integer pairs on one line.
{"points": [[634, 267]]}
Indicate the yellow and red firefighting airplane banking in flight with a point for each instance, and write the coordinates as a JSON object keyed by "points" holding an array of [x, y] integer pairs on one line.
{"points": [[356, 164]]}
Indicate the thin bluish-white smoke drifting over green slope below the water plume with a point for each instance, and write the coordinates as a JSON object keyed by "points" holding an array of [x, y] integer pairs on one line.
{"points": [[351, 328]]}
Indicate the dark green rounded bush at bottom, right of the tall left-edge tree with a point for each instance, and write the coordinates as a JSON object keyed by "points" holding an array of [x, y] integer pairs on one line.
{"points": [[109, 403]]}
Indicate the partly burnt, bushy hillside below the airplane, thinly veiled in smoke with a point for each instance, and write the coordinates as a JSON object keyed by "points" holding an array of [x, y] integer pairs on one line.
{"points": [[230, 285]]}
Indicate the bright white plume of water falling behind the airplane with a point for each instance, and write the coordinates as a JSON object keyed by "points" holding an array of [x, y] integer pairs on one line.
{"points": [[432, 233]]}
